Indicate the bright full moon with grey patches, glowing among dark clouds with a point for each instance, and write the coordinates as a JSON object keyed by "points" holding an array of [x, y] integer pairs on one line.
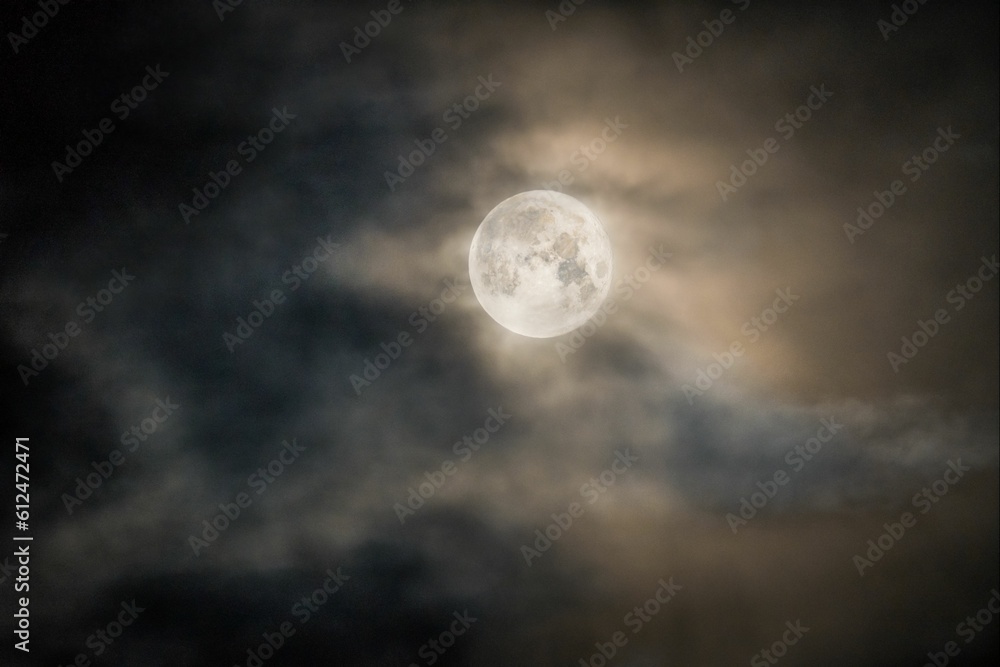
{"points": [[540, 264]]}
